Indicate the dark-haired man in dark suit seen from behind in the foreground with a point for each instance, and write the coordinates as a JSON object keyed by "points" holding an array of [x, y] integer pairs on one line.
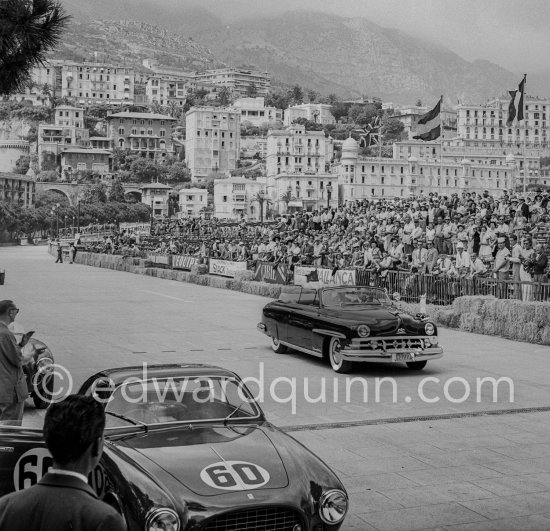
{"points": [[62, 499]]}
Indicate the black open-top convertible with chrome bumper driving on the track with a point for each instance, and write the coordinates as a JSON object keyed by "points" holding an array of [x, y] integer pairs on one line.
{"points": [[349, 324]]}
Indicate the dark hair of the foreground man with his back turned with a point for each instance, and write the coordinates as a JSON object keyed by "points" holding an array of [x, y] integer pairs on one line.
{"points": [[71, 426]]}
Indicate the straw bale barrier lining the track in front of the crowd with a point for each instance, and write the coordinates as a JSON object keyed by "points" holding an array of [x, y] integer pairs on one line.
{"points": [[511, 319]]}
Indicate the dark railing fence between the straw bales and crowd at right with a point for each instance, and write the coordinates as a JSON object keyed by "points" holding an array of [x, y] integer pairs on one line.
{"points": [[442, 290]]}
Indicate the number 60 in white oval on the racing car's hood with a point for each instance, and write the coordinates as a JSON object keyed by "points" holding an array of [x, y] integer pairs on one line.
{"points": [[234, 475]]}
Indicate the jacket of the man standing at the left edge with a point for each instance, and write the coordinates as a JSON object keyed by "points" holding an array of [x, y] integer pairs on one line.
{"points": [[13, 386]]}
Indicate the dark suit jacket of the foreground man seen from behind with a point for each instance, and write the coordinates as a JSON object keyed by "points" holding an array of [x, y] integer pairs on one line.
{"points": [[59, 503]]}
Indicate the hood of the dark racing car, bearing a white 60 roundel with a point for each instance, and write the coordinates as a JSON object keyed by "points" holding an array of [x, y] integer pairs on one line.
{"points": [[213, 460]]}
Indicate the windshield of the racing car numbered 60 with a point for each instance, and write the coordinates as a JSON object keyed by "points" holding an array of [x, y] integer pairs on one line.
{"points": [[184, 399]]}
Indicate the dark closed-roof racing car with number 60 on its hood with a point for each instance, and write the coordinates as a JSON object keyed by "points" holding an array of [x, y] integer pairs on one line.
{"points": [[188, 448]]}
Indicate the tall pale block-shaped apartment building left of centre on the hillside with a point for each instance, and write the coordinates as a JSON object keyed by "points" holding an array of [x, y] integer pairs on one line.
{"points": [[212, 141]]}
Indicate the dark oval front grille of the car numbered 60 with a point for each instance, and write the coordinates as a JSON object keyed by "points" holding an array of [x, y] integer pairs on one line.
{"points": [[264, 518]]}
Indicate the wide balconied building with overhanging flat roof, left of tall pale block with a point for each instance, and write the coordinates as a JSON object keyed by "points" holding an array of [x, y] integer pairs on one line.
{"points": [[146, 134]]}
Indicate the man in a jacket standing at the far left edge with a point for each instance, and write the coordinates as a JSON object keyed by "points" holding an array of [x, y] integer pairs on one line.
{"points": [[13, 386]]}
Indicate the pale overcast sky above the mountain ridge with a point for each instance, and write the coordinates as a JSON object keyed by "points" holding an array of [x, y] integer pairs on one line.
{"points": [[512, 33]]}
